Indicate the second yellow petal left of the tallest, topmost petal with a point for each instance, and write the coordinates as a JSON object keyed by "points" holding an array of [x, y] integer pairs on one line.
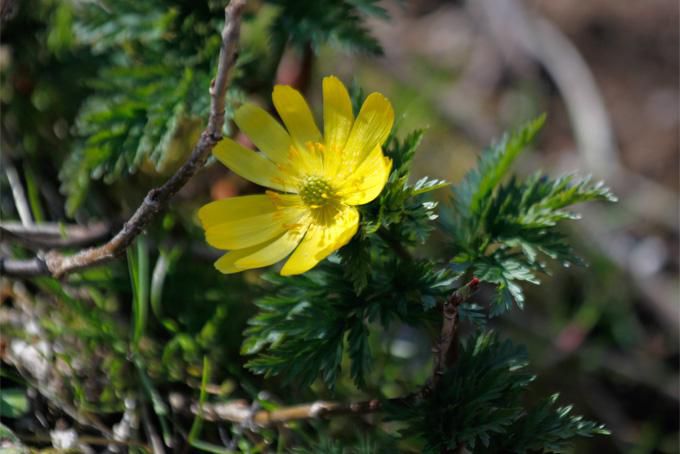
{"points": [[264, 131]]}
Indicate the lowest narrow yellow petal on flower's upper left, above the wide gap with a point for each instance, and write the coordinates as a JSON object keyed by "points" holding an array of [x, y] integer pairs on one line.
{"points": [[252, 166]]}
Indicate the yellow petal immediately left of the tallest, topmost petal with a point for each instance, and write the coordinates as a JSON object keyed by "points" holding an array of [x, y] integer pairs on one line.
{"points": [[296, 115]]}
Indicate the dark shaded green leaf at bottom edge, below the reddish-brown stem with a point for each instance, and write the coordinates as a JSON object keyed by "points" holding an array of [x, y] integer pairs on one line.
{"points": [[477, 397]]}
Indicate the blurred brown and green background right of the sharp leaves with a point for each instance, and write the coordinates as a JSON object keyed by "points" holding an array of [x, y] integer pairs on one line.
{"points": [[606, 74]]}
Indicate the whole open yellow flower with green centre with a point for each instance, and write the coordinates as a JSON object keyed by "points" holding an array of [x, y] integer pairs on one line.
{"points": [[317, 180]]}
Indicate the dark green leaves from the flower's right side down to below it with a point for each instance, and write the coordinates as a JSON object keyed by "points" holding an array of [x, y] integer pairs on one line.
{"points": [[307, 322]]}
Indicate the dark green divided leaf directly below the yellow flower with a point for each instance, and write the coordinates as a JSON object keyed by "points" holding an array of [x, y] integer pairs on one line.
{"points": [[306, 322]]}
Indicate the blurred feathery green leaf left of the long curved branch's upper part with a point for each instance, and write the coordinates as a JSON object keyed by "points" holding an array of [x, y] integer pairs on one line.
{"points": [[149, 92]]}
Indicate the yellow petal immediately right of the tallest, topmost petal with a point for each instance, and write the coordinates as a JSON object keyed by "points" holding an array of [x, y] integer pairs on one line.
{"points": [[370, 129]]}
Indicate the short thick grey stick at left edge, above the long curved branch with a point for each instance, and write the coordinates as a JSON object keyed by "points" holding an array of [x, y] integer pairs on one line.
{"points": [[53, 235]]}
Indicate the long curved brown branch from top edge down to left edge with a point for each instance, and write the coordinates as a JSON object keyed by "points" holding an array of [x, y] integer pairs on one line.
{"points": [[56, 264]]}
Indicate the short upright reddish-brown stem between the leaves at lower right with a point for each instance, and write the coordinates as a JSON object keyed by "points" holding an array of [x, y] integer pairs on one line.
{"points": [[443, 357]]}
